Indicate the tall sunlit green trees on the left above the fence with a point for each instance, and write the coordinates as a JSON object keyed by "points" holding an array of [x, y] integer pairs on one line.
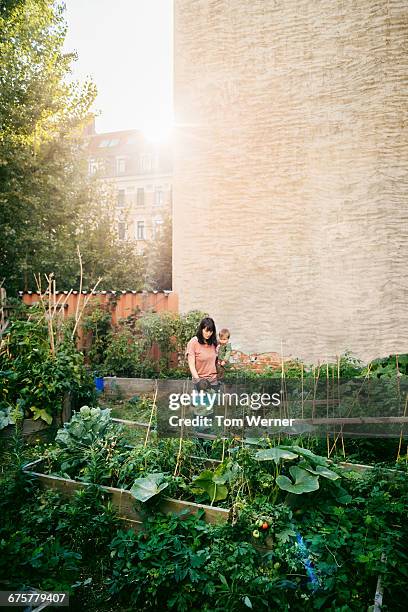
{"points": [[47, 203]]}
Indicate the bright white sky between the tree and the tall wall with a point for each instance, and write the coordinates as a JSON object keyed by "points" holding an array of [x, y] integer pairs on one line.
{"points": [[126, 47]]}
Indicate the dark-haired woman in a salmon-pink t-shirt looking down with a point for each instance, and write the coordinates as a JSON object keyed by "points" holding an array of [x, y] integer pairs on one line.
{"points": [[201, 352]]}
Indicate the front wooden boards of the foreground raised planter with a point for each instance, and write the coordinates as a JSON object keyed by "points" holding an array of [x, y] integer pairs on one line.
{"points": [[123, 501]]}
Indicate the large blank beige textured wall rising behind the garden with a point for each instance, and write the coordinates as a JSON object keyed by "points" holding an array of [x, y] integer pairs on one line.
{"points": [[291, 179]]}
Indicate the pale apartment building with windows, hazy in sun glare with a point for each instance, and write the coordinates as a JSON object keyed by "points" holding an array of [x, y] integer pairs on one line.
{"points": [[139, 175]]}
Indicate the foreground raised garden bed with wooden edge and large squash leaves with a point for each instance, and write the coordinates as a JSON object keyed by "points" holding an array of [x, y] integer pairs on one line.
{"points": [[299, 513]]}
